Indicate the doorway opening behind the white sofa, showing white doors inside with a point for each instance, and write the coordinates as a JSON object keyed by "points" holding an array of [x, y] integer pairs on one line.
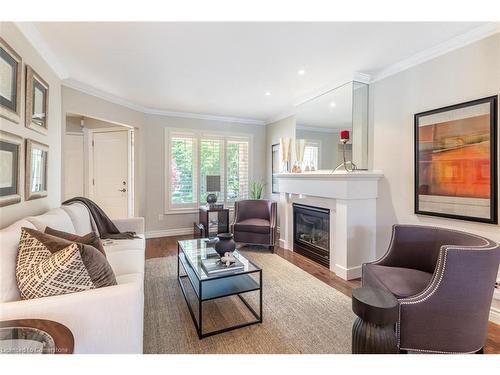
{"points": [[98, 163]]}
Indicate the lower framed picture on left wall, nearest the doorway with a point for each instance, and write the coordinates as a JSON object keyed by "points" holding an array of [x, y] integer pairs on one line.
{"points": [[37, 163]]}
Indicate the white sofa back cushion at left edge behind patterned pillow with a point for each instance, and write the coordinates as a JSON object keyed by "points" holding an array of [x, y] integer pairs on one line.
{"points": [[9, 244]]}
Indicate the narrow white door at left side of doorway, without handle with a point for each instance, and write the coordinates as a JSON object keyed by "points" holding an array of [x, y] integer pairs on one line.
{"points": [[73, 166]]}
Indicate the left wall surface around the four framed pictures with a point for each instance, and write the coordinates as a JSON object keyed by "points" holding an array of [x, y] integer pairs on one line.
{"points": [[30, 56]]}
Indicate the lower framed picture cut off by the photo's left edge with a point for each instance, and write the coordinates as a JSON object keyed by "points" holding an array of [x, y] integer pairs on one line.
{"points": [[10, 168]]}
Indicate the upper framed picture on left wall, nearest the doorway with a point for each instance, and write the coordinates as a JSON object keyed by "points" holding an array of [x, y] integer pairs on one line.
{"points": [[37, 102]]}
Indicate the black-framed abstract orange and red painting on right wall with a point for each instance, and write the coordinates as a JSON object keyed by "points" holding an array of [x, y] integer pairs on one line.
{"points": [[456, 161]]}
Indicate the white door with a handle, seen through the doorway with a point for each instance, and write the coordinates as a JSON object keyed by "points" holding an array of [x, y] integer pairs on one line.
{"points": [[110, 172]]}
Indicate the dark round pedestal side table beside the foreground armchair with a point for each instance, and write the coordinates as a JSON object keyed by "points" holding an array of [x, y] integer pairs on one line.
{"points": [[373, 331]]}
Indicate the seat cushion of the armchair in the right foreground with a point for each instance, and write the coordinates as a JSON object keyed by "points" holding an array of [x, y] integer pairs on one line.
{"points": [[402, 282]]}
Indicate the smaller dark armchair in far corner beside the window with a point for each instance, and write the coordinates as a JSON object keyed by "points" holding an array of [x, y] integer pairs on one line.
{"points": [[255, 222]]}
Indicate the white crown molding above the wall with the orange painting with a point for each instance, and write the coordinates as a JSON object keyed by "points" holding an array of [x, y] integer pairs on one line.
{"points": [[459, 41]]}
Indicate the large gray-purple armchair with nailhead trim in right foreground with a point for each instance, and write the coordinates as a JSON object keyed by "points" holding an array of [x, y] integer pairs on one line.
{"points": [[444, 280]]}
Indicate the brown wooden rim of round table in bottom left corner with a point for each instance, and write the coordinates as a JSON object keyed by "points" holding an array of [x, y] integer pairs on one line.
{"points": [[62, 336]]}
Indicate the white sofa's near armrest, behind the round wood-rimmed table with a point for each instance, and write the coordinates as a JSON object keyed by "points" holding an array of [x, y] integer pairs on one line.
{"points": [[104, 320]]}
